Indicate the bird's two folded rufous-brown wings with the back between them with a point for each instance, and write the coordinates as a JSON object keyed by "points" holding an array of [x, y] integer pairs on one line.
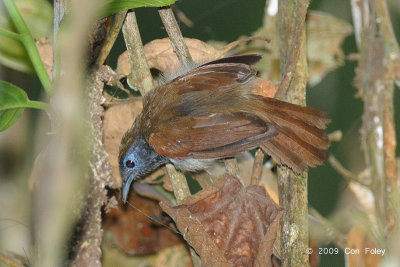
{"points": [[204, 120]]}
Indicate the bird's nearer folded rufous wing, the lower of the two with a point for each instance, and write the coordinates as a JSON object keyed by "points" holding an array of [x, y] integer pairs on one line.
{"points": [[212, 136]]}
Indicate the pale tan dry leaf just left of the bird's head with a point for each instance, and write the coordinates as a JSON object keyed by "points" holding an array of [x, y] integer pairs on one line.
{"points": [[117, 120]]}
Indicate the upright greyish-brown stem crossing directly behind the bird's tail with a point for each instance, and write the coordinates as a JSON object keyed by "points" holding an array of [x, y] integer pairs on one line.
{"points": [[293, 187]]}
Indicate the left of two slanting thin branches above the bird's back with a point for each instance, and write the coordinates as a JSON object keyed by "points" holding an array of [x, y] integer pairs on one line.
{"points": [[140, 77]]}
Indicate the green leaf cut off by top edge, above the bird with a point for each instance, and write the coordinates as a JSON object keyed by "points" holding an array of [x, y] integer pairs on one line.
{"points": [[114, 6]]}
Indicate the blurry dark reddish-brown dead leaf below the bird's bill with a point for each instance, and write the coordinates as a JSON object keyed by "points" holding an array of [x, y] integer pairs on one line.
{"points": [[133, 232]]}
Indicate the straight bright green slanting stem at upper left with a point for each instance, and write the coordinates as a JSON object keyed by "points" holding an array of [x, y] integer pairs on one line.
{"points": [[27, 40]]}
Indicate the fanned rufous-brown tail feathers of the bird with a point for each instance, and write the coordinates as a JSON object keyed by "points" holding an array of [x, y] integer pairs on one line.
{"points": [[301, 140]]}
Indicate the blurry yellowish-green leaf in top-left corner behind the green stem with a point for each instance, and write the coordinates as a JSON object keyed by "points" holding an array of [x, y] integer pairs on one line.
{"points": [[38, 17]]}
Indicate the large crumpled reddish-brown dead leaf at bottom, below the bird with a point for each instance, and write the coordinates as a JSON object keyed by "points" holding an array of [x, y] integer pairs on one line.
{"points": [[228, 224]]}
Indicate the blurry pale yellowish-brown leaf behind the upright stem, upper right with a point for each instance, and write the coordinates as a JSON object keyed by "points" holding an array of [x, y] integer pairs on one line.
{"points": [[325, 35]]}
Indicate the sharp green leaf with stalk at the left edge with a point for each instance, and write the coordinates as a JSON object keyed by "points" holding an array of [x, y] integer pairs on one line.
{"points": [[13, 100]]}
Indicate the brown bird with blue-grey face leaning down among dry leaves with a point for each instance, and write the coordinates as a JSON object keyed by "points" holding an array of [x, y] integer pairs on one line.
{"points": [[210, 113]]}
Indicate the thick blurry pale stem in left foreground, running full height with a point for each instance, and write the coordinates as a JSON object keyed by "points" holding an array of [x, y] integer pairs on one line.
{"points": [[62, 180]]}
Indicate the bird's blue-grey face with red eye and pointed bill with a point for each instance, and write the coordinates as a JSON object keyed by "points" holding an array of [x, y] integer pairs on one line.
{"points": [[138, 160]]}
